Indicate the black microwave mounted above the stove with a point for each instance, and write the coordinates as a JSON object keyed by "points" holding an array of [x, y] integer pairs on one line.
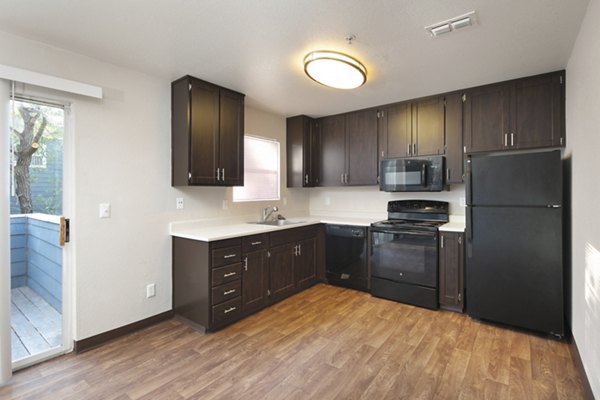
{"points": [[423, 174]]}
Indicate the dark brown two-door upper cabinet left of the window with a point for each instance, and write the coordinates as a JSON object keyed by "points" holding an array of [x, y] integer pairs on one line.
{"points": [[207, 134]]}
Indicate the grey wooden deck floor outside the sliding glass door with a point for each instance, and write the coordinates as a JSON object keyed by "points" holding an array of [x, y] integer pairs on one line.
{"points": [[35, 325]]}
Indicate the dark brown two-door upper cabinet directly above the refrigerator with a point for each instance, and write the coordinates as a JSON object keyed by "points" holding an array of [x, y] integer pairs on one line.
{"points": [[521, 114]]}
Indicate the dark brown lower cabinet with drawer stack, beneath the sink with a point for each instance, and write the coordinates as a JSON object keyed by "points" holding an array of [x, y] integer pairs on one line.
{"points": [[217, 283]]}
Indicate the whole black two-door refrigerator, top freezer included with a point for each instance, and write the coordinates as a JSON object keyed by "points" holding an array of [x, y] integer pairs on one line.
{"points": [[514, 264]]}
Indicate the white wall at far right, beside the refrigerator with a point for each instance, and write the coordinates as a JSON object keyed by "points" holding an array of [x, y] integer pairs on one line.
{"points": [[583, 141]]}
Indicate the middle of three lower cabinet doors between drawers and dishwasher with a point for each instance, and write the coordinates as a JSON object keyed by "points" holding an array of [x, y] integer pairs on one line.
{"points": [[281, 269]]}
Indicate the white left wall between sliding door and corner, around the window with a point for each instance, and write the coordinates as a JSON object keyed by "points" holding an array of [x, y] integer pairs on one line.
{"points": [[122, 156]]}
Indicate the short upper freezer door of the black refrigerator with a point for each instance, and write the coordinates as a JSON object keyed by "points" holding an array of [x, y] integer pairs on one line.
{"points": [[526, 179]]}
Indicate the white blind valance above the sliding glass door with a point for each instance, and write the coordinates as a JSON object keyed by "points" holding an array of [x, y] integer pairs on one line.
{"points": [[49, 81]]}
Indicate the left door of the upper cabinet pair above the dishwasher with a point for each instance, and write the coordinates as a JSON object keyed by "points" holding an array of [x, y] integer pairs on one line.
{"points": [[333, 150]]}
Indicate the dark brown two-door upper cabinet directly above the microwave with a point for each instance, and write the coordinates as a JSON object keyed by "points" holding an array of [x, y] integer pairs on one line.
{"points": [[412, 128]]}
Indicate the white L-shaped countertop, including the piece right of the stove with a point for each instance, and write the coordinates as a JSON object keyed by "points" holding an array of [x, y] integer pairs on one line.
{"points": [[208, 230]]}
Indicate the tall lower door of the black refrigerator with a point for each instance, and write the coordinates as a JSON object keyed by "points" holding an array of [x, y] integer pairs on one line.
{"points": [[514, 267]]}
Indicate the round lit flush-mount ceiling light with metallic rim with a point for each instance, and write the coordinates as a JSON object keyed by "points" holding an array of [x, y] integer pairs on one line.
{"points": [[336, 70]]}
